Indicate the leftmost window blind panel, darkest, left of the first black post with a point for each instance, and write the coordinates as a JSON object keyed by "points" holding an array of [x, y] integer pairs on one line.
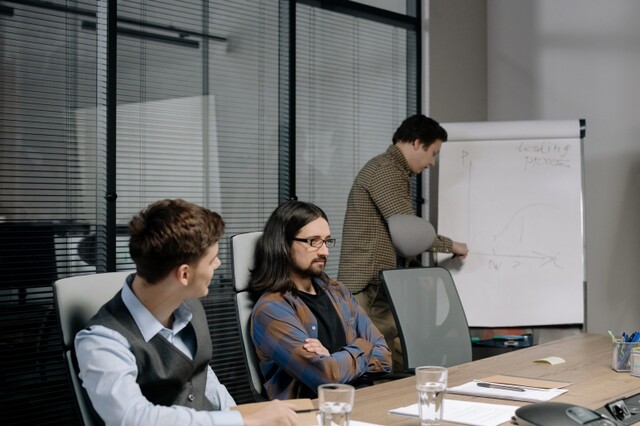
{"points": [[48, 195]]}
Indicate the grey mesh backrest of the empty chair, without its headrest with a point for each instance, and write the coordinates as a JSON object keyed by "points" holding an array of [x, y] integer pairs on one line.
{"points": [[431, 321]]}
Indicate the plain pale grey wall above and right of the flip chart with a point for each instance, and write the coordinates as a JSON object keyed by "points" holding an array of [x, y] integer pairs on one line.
{"points": [[559, 59]]}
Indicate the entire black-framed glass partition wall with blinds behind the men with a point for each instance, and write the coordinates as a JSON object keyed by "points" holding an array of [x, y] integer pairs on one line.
{"points": [[234, 105]]}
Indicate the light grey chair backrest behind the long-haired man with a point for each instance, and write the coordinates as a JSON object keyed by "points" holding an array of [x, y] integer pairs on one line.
{"points": [[242, 248]]}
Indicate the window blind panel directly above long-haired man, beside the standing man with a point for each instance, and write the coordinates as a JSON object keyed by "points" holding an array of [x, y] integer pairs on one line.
{"points": [[353, 90]]}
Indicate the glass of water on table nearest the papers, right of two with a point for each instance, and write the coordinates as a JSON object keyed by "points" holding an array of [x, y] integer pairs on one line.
{"points": [[431, 383]]}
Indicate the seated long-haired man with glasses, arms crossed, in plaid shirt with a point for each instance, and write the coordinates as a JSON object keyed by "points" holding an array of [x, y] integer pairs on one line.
{"points": [[307, 329]]}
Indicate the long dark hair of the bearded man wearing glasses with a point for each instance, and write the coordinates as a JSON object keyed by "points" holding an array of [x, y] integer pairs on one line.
{"points": [[272, 258]]}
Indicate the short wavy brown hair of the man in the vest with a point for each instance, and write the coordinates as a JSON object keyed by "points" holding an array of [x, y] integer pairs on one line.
{"points": [[169, 233]]}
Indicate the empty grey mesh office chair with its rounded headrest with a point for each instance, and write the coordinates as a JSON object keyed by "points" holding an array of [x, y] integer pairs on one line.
{"points": [[431, 322]]}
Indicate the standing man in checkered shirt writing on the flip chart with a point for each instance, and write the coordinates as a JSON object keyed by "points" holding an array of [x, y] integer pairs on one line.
{"points": [[382, 189]]}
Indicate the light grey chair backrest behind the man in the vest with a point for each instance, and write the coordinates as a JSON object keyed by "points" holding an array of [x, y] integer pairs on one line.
{"points": [[77, 299]]}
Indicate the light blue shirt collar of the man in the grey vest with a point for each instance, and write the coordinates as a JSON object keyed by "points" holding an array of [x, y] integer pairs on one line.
{"points": [[148, 324]]}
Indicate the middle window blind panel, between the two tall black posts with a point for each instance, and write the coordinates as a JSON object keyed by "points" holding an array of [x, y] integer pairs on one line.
{"points": [[197, 119]]}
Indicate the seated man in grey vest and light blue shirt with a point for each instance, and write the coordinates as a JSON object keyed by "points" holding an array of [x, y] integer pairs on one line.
{"points": [[144, 357]]}
